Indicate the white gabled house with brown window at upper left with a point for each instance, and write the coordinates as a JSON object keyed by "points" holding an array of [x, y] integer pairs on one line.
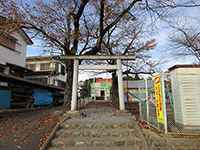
{"points": [[13, 48]]}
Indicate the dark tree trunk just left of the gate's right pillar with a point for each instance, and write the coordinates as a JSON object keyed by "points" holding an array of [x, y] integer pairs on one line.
{"points": [[114, 90]]}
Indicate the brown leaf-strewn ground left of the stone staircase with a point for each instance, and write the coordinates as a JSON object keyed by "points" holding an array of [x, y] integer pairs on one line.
{"points": [[27, 131]]}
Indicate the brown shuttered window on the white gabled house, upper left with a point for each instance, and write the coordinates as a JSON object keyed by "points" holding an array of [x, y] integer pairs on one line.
{"points": [[8, 41]]}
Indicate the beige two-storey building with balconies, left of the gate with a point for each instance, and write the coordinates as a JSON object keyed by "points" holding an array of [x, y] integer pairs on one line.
{"points": [[46, 70]]}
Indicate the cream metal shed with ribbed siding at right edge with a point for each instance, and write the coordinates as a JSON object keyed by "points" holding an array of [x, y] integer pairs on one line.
{"points": [[186, 93]]}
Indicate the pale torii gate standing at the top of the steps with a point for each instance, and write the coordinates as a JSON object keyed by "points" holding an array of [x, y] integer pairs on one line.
{"points": [[78, 67]]}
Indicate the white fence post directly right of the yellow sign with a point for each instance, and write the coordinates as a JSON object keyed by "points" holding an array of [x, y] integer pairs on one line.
{"points": [[164, 101]]}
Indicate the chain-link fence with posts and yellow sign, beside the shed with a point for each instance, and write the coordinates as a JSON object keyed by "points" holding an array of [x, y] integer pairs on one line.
{"points": [[157, 106]]}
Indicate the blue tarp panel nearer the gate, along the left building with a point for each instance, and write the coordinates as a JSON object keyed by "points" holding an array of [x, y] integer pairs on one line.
{"points": [[42, 97]]}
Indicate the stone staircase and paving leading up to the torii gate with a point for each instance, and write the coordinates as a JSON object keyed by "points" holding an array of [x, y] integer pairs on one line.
{"points": [[99, 129]]}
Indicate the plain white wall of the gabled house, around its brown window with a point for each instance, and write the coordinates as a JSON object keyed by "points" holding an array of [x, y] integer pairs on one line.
{"points": [[14, 57]]}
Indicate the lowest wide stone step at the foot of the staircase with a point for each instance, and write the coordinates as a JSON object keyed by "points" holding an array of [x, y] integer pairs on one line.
{"points": [[96, 142]]}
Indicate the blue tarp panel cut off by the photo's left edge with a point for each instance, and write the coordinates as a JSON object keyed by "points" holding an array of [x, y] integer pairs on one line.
{"points": [[5, 98]]}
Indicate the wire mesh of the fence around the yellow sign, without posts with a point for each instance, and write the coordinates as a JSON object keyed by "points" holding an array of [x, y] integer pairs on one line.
{"points": [[172, 125]]}
